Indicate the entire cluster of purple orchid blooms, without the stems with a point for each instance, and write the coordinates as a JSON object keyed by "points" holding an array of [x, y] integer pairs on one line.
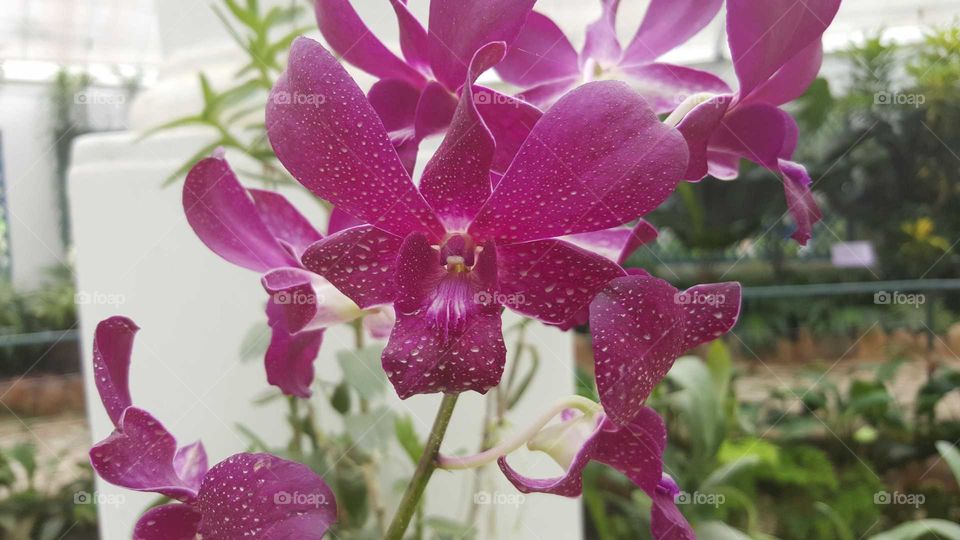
{"points": [[527, 206]]}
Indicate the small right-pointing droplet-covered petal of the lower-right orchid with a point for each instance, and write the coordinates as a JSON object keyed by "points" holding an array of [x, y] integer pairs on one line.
{"points": [[711, 311]]}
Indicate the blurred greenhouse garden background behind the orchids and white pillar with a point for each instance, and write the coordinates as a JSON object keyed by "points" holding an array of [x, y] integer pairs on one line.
{"points": [[832, 411]]}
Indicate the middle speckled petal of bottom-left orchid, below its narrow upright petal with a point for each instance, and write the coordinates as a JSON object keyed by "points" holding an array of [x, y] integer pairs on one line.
{"points": [[140, 456]]}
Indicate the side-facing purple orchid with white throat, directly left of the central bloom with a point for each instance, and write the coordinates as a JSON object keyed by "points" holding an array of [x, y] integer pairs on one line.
{"points": [[261, 231]]}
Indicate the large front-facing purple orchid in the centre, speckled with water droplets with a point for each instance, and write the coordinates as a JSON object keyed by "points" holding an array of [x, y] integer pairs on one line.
{"points": [[452, 253]]}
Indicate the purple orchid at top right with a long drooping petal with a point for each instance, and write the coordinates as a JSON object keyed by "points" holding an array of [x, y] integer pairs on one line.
{"points": [[777, 52]]}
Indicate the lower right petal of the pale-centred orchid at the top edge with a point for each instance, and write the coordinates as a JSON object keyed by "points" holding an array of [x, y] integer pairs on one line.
{"points": [[665, 86]]}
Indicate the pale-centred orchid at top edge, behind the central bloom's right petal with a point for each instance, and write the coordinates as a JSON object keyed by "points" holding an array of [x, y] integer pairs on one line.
{"points": [[545, 64]]}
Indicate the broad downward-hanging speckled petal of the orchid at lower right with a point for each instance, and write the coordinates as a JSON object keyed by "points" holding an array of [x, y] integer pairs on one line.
{"points": [[637, 328]]}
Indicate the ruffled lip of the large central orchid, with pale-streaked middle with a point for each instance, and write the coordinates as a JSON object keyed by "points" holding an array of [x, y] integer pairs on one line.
{"points": [[447, 338]]}
